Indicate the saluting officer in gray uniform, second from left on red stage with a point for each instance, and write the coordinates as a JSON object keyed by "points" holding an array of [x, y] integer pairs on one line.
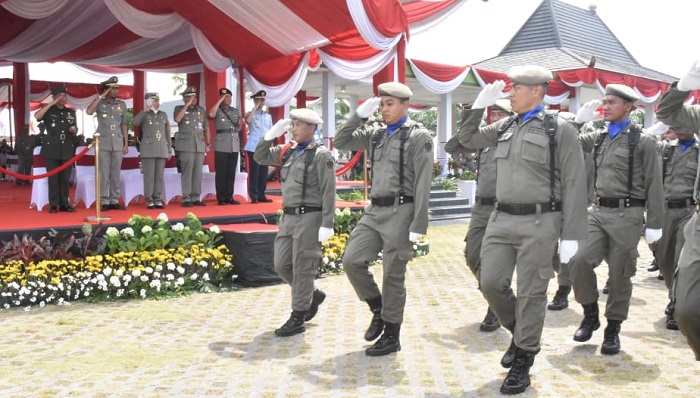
{"points": [[112, 120]]}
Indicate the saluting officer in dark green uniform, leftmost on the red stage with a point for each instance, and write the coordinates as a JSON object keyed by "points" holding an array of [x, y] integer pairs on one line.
{"points": [[58, 146]]}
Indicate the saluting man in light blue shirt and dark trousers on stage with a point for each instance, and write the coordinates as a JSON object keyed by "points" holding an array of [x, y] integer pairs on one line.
{"points": [[259, 122]]}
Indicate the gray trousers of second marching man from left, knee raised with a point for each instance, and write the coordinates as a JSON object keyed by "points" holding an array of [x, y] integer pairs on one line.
{"points": [[381, 228]]}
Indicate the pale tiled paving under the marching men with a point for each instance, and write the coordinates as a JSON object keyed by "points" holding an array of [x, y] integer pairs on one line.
{"points": [[223, 345]]}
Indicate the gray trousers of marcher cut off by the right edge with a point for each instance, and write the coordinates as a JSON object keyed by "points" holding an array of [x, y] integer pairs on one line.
{"points": [[687, 285]]}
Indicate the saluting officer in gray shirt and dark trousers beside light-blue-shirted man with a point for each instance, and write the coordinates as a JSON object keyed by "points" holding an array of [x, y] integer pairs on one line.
{"points": [[227, 145]]}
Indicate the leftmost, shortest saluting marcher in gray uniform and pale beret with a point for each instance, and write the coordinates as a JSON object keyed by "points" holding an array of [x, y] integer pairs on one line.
{"points": [[308, 200]]}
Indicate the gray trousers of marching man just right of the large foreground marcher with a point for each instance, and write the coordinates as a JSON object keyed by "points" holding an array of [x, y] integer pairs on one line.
{"points": [[613, 235]]}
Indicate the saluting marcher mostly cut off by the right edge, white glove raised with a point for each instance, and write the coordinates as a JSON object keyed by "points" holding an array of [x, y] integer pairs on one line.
{"points": [[686, 289]]}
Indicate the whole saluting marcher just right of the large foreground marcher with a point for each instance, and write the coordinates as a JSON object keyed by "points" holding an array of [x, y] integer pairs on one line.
{"points": [[627, 179]]}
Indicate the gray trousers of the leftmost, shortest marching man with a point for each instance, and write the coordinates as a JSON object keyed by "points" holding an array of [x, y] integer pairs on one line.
{"points": [[298, 255]]}
